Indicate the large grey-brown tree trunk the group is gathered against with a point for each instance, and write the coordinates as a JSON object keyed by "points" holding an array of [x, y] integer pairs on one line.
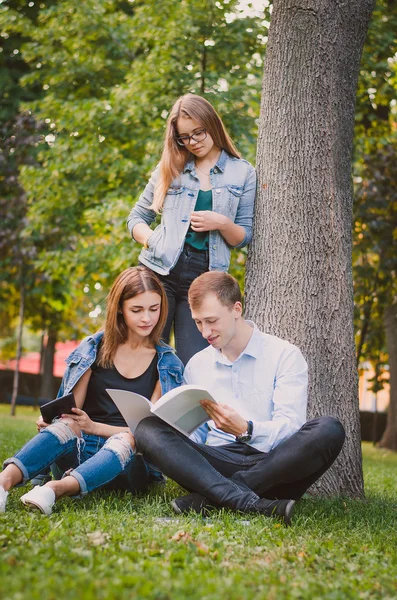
{"points": [[299, 270]]}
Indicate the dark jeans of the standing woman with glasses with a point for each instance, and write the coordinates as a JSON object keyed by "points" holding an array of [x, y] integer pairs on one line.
{"points": [[188, 339]]}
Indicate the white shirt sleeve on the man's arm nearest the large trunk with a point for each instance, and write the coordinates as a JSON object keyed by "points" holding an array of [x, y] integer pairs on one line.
{"points": [[289, 403]]}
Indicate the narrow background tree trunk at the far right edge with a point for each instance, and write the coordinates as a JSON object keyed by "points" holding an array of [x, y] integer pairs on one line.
{"points": [[389, 438]]}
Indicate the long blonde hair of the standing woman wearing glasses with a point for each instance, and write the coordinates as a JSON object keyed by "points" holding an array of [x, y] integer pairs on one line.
{"points": [[174, 157]]}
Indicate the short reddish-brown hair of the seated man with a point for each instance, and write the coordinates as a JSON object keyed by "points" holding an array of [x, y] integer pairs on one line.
{"points": [[221, 284]]}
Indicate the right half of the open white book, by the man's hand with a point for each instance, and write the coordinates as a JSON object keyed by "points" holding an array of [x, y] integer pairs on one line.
{"points": [[181, 408]]}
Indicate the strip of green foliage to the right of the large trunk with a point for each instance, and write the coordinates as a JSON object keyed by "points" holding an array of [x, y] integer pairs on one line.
{"points": [[375, 176]]}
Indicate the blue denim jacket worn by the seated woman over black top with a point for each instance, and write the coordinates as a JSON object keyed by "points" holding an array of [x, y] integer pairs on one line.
{"points": [[169, 366]]}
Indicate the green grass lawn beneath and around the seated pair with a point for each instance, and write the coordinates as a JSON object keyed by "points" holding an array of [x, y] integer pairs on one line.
{"points": [[112, 545]]}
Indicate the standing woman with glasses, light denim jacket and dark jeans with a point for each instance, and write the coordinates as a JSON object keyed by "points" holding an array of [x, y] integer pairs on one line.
{"points": [[205, 193]]}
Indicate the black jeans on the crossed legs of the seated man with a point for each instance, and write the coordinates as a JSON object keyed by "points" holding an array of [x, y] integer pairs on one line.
{"points": [[235, 475]]}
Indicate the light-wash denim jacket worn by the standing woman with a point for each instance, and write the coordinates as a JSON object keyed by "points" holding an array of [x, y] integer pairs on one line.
{"points": [[233, 183]]}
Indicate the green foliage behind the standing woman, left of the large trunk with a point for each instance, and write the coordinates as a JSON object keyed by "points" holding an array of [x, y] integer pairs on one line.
{"points": [[108, 72]]}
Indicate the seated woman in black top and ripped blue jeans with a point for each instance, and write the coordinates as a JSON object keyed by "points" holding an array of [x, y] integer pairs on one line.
{"points": [[94, 446]]}
